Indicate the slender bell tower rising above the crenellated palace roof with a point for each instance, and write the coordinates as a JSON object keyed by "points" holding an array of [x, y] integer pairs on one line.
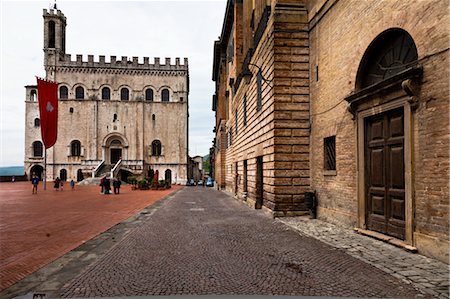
{"points": [[54, 37]]}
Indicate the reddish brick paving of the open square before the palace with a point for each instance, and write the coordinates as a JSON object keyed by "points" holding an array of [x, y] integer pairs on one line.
{"points": [[37, 229]]}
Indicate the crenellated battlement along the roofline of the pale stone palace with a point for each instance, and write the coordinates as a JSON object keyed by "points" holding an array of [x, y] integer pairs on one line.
{"points": [[124, 63]]}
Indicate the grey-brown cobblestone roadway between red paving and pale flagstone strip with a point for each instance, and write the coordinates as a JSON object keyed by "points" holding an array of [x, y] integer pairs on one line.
{"points": [[203, 242]]}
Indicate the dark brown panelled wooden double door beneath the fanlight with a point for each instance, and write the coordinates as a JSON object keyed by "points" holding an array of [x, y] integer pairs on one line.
{"points": [[385, 173]]}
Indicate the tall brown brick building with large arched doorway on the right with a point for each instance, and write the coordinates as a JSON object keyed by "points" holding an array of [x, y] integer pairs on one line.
{"points": [[345, 98]]}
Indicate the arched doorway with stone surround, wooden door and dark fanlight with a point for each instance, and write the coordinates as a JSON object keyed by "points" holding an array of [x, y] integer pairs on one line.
{"points": [[383, 103]]}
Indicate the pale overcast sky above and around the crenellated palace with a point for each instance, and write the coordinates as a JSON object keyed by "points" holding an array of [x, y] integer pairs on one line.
{"points": [[141, 28]]}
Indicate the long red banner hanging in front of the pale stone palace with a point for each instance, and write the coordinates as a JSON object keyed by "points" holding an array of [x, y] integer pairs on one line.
{"points": [[48, 110]]}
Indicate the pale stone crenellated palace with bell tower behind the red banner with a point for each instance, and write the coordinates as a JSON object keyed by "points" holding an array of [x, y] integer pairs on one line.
{"points": [[127, 117]]}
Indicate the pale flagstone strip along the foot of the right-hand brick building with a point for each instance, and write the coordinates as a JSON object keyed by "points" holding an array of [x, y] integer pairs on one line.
{"points": [[429, 275]]}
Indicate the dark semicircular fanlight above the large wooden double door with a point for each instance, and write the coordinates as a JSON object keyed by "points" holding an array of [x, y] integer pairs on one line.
{"points": [[392, 52]]}
